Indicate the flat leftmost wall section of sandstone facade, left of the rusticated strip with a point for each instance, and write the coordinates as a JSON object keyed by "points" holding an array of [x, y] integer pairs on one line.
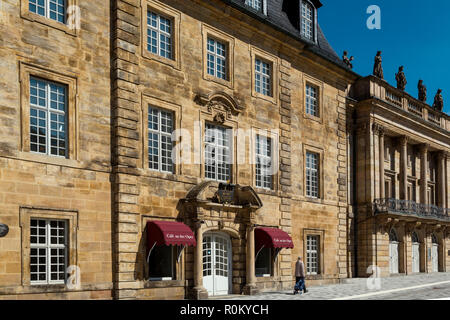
{"points": [[55, 155]]}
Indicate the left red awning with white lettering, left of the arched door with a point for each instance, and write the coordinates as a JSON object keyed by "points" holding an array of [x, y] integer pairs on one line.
{"points": [[169, 233]]}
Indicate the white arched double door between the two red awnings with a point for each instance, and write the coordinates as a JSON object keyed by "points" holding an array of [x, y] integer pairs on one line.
{"points": [[216, 263]]}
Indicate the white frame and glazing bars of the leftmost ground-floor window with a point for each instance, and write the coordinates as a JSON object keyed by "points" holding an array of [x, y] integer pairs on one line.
{"points": [[48, 246]]}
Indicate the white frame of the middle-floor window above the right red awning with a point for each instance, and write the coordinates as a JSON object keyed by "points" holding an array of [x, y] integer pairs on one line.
{"points": [[264, 181]]}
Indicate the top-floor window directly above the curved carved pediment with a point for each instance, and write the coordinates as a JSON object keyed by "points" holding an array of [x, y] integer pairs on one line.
{"points": [[217, 59]]}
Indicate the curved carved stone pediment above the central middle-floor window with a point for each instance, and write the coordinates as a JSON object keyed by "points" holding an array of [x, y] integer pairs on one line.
{"points": [[219, 104]]}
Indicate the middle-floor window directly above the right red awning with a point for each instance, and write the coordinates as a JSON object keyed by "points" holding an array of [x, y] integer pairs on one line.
{"points": [[263, 162]]}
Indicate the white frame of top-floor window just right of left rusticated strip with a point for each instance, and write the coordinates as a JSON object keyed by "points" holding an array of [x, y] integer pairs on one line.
{"points": [[159, 32]]}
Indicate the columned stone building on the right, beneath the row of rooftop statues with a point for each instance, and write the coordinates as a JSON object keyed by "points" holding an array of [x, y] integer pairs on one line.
{"points": [[401, 180]]}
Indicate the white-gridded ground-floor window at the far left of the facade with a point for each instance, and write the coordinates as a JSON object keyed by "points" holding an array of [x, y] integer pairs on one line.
{"points": [[48, 251]]}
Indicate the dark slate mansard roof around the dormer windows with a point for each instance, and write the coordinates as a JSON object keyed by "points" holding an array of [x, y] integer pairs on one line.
{"points": [[283, 15]]}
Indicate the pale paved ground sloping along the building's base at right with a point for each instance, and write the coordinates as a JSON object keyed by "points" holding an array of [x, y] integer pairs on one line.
{"points": [[423, 286]]}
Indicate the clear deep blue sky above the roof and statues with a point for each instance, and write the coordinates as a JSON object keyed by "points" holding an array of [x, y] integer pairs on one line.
{"points": [[415, 34]]}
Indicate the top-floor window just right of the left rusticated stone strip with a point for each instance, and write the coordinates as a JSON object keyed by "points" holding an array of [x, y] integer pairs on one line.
{"points": [[159, 35]]}
